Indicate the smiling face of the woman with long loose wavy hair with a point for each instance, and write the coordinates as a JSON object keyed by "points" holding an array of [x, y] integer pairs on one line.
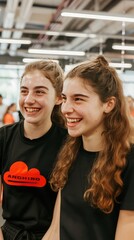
{"points": [[82, 108]]}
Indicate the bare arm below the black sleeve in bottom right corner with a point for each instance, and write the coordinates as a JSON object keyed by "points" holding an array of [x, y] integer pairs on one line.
{"points": [[125, 226]]}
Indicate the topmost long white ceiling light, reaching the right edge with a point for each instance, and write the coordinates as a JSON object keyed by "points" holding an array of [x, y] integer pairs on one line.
{"points": [[97, 15]]}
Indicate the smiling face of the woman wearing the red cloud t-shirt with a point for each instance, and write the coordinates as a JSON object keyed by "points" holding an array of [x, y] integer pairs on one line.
{"points": [[37, 98]]}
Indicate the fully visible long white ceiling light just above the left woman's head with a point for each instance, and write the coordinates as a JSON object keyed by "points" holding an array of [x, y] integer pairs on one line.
{"points": [[56, 52]]}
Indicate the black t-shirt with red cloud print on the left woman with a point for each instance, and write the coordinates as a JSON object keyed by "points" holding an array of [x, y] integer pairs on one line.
{"points": [[25, 167]]}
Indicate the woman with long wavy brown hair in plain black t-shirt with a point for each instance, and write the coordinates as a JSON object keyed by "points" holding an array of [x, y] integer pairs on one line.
{"points": [[95, 168]]}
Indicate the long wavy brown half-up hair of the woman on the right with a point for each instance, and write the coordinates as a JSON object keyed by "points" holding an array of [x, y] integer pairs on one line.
{"points": [[105, 182]]}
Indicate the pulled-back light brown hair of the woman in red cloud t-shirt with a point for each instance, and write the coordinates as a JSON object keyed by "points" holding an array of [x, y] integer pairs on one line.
{"points": [[51, 70]]}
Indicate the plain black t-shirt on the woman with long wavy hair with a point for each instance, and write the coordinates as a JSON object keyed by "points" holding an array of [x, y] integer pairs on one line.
{"points": [[78, 219]]}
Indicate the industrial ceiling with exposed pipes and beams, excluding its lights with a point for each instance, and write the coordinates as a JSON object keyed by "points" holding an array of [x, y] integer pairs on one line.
{"points": [[41, 22]]}
